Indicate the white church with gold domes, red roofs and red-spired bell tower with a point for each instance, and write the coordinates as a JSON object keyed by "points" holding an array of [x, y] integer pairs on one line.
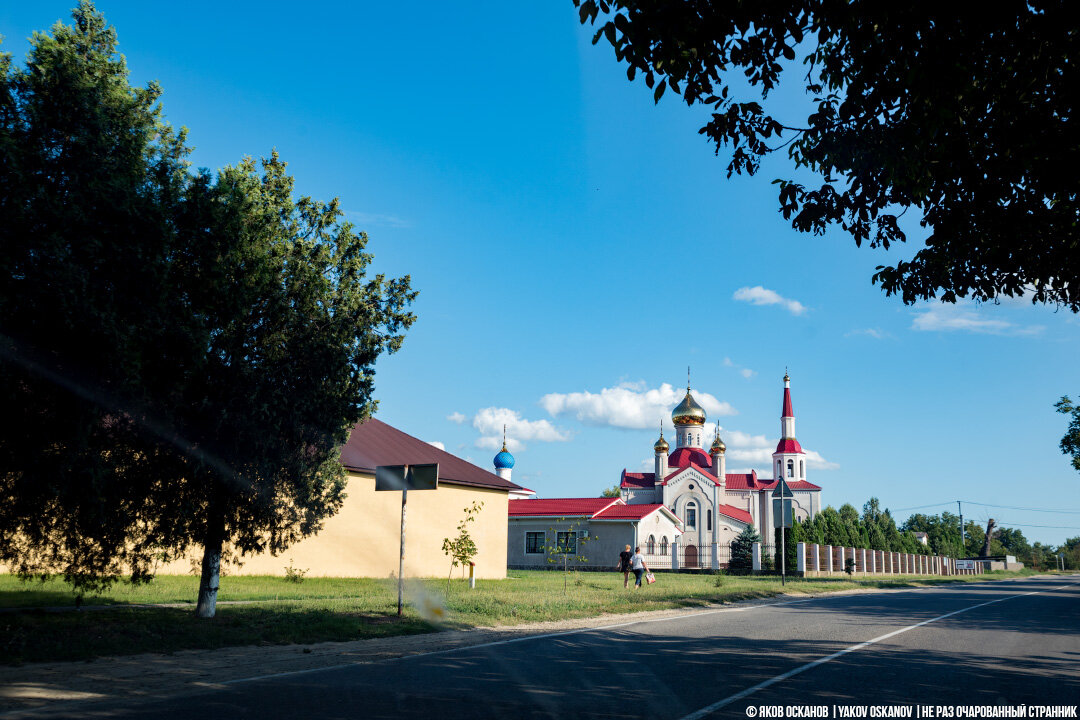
{"points": [[717, 506]]}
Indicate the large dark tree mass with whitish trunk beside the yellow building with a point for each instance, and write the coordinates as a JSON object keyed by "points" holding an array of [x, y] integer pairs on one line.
{"points": [[181, 356]]}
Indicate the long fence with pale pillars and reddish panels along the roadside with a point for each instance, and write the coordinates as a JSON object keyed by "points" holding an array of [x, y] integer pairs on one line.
{"points": [[814, 561]]}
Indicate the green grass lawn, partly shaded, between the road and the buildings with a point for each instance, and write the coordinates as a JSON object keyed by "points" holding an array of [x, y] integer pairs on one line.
{"points": [[268, 610]]}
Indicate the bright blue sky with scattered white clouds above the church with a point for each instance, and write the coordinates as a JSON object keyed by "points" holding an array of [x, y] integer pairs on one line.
{"points": [[577, 248]]}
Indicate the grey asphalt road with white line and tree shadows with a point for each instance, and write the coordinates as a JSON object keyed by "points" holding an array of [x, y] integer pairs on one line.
{"points": [[983, 645]]}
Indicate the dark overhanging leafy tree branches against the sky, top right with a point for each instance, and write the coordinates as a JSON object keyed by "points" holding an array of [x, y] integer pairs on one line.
{"points": [[968, 120]]}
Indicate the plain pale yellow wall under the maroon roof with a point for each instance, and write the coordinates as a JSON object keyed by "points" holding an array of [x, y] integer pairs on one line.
{"points": [[362, 540]]}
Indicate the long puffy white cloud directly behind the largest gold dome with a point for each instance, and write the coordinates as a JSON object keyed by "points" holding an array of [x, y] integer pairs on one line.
{"points": [[628, 405]]}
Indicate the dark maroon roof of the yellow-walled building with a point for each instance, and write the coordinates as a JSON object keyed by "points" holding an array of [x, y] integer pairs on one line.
{"points": [[375, 443]]}
